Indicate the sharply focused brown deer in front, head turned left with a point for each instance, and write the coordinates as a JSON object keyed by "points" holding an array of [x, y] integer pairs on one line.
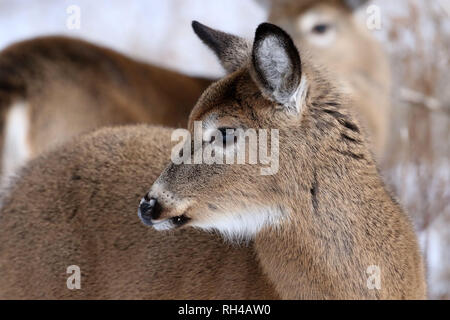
{"points": [[315, 229]]}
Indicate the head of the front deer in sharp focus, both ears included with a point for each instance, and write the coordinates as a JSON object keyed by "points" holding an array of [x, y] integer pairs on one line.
{"points": [[267, 87]]}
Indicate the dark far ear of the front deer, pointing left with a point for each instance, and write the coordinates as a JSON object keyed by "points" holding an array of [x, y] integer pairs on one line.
{"points": [[232, 51]]}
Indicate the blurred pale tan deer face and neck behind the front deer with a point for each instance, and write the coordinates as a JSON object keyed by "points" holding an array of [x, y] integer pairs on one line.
{"points": [[329, 32]]}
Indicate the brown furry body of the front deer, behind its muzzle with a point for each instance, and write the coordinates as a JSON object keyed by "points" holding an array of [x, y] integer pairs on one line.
{"points": [[96, 227]]}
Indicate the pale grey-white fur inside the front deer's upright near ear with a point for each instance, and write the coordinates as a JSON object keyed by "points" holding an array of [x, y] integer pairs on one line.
{"points": [[273, 60]]}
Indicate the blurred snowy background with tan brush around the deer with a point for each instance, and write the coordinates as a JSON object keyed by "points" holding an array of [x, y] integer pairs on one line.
{"points": [[414, 33]]}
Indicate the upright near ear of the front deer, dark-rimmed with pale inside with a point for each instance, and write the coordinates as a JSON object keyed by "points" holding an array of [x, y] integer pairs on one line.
{"points": [[276, 65]]}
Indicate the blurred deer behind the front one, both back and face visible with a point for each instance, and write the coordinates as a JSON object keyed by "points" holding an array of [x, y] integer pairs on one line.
{"points": [[55, 88]]}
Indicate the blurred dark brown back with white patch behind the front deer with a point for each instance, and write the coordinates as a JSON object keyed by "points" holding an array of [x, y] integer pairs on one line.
{"points": [[55, 88]]}
